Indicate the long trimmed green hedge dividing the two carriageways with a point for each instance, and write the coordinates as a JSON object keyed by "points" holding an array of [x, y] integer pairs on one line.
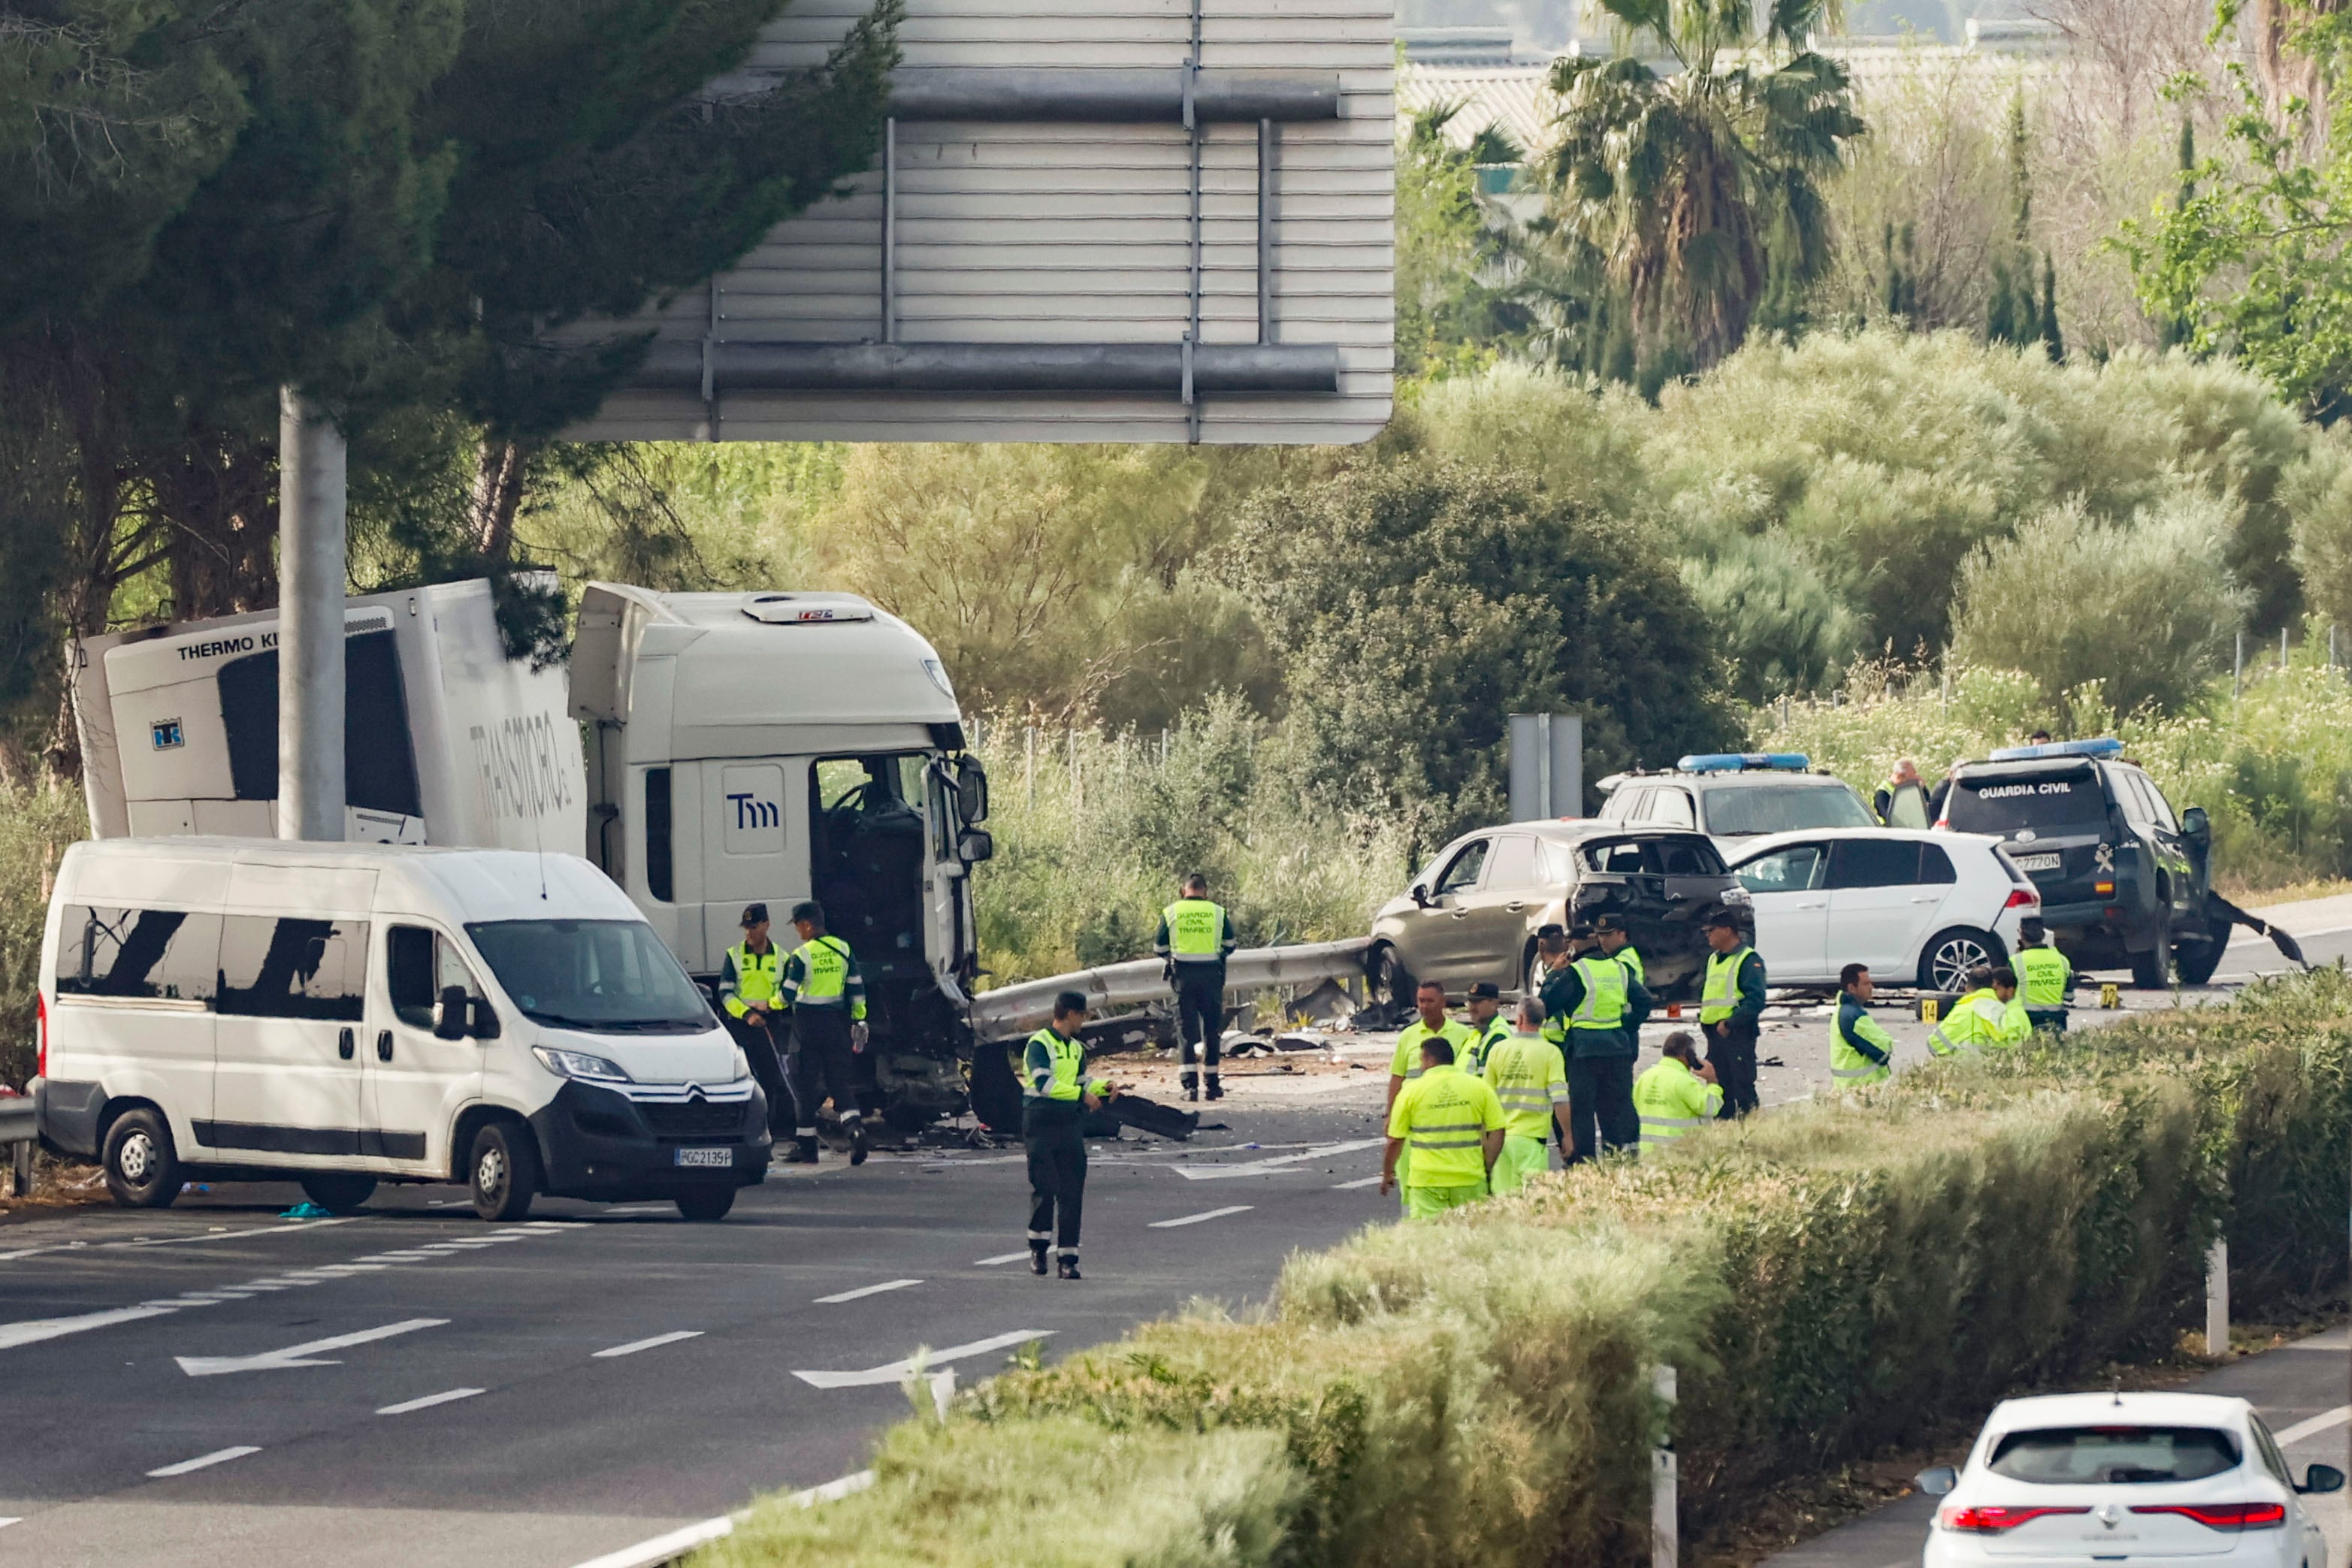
{"points": [[1829, 1280]]}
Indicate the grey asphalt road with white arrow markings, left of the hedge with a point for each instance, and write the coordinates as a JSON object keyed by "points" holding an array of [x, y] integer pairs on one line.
{"points": [[218, 1386]]}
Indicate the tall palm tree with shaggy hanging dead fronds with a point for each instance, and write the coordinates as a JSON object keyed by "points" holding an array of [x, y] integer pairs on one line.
{"points": [[1699, 187]]}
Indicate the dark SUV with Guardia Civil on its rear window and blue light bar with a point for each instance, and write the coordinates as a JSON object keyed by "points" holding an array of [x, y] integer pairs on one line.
{"points": [[2123, 878]]}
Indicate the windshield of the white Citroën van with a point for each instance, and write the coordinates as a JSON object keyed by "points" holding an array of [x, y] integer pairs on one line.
{"points": [[606, 977]]}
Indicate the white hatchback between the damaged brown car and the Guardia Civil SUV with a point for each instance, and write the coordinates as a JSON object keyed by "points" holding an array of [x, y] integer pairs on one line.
{"points": [[1913, 906]]}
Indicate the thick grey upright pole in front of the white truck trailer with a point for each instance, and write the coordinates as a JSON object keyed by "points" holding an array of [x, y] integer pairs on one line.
{"points": [[309, 622]]}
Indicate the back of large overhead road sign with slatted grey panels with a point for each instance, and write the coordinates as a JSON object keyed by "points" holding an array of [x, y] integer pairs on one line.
{"points": [[1118, 220]]}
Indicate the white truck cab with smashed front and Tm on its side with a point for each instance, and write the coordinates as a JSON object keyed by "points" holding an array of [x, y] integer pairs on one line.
{"points": [[780, 746]]}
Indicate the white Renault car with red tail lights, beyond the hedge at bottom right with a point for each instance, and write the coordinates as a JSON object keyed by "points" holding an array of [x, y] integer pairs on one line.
{"points": [[2125, 1477]]}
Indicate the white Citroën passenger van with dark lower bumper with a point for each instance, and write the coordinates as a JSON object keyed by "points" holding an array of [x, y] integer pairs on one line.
{"points": [[347, 1014]]}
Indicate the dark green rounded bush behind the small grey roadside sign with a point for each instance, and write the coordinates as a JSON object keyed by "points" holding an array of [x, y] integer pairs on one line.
{"points": [[1417, 605]]}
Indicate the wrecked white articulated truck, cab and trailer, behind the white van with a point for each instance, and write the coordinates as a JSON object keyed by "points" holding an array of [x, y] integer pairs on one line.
{"points": [[728, 749]]}
